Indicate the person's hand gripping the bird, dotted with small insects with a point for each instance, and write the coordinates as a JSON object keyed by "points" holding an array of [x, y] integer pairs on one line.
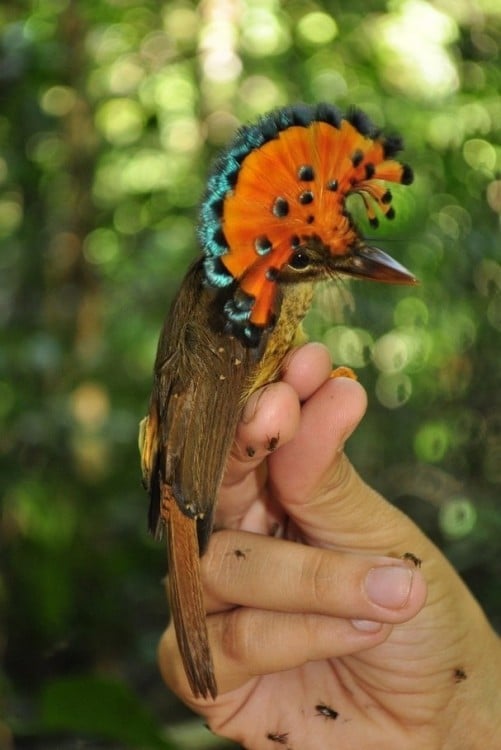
{"points": [[319, 607]]}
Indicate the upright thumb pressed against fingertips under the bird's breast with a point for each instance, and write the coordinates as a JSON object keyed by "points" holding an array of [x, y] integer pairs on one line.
{"points": [[319, 489]]}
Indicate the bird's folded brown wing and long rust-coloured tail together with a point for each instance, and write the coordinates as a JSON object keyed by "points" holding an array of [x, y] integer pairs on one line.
{"points": [[184, 441]]}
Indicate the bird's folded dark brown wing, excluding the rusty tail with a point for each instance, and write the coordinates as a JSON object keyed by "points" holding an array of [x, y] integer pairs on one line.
{"points": [[194, 407]]}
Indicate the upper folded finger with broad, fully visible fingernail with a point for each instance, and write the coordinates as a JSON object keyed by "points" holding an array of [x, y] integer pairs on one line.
{"points": [[253, 570]]}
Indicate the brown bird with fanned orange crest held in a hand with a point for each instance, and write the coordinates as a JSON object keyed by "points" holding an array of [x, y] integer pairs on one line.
{"points": [[273, 222]]}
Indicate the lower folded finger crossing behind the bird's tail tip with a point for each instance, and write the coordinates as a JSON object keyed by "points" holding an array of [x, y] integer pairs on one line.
{"points": [[247, 643]]}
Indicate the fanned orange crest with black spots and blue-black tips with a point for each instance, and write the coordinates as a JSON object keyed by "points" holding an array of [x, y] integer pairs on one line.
{"points": [[281, 184]]}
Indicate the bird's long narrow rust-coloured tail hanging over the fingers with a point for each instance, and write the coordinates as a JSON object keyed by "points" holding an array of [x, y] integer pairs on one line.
{"points": [[186, 603]]}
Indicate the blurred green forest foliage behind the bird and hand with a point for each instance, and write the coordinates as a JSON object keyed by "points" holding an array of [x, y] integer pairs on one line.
{"points": [[110, 113]]}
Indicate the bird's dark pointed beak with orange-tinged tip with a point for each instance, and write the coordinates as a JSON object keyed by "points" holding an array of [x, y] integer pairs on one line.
{"points": [[374, 264]]}
